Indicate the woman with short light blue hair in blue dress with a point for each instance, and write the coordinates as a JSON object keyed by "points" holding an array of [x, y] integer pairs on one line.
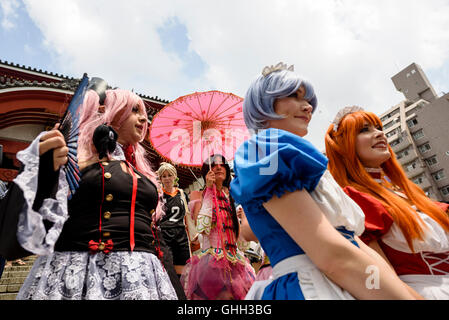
{"points": [[277, 162]]}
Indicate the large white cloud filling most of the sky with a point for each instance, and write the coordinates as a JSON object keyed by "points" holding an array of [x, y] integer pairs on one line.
{"points": [[349, 49]]}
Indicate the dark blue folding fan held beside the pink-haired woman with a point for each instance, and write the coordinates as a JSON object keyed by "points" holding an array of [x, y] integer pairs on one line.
{"points": [[69, 127]]}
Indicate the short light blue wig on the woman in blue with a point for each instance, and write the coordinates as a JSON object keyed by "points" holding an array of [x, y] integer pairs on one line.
{"points": [[258, 106]]}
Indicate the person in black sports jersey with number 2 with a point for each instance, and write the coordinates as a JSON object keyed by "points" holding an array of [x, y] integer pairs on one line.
{"points": [[173, 222]]}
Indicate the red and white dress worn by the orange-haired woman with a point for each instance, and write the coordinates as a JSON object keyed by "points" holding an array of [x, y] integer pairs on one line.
{"points": [[427, 269]]}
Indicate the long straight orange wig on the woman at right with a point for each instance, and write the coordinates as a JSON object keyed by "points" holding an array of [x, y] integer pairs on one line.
{"points": [[348, 170]]}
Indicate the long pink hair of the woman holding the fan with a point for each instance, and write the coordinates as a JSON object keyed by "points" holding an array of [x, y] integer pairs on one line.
{"points": [[118, 106]]}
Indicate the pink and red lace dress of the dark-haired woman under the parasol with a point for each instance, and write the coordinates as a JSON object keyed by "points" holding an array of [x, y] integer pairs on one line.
{"points": [[219, 271]]}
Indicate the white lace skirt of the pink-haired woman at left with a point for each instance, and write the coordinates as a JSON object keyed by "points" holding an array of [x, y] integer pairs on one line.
{"points": [[74, 275]]}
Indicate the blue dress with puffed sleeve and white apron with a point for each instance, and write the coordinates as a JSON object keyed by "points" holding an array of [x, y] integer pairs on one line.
{"points": [[272, 163]]}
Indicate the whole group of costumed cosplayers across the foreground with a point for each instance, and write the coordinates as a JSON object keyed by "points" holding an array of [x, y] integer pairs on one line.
{"points": [[285, 223]]}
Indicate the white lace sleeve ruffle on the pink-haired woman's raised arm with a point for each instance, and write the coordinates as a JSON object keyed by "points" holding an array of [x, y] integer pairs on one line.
{"points": [[31, 232]]}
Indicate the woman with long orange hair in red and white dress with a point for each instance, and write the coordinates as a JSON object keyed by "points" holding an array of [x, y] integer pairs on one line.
{"points": [[407, 228]]}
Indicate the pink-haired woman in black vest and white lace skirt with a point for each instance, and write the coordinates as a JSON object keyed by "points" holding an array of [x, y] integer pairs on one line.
{"points": [[102, 243]]}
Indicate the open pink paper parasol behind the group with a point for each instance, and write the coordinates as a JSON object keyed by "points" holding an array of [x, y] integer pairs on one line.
{"points": [[191, 128]]}
